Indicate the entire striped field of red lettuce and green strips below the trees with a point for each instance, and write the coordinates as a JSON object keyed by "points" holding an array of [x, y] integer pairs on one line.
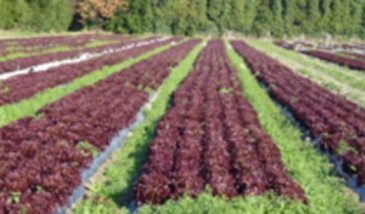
{"points": [[103, 123]]}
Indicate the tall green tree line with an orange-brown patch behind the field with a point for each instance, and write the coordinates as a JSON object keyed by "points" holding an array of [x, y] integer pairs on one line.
{"points": [[189, 17]]}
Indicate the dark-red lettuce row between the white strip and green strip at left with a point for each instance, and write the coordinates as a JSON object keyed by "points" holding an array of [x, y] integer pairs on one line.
{"points": [[27, 85]]}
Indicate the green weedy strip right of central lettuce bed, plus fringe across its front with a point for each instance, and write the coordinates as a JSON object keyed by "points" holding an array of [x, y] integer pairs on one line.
{"points": [[326, 193]]}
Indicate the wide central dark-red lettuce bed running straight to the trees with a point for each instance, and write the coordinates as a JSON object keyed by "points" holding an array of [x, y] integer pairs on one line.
{"points": [[211, 136]]}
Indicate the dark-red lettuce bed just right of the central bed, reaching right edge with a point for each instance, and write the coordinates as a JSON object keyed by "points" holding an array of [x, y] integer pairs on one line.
{"points": [[339, 123]]}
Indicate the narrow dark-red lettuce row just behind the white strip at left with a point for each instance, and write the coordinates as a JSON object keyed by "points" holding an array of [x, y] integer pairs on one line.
{"points": [[27, 62]]}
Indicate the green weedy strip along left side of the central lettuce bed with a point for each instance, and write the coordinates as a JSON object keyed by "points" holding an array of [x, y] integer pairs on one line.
{"points": [[114, 188]]}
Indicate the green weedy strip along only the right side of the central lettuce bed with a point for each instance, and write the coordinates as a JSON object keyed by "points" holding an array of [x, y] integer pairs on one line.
{"points": [[312, 170]]}
